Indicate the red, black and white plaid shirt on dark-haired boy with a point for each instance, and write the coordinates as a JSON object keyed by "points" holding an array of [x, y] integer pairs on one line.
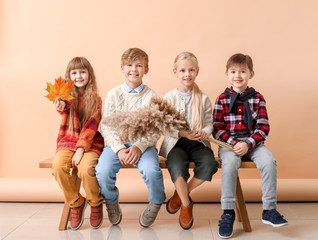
{"points": [[228, 127]]}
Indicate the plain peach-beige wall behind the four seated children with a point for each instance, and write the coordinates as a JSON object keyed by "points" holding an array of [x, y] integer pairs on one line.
{"points": [[38, 38]]}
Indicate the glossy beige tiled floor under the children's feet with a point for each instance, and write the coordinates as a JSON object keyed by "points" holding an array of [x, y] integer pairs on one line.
{"points": [[39, 221]]}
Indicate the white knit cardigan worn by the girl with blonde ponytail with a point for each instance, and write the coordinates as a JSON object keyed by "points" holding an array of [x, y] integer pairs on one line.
{"points": [[178, 102]]}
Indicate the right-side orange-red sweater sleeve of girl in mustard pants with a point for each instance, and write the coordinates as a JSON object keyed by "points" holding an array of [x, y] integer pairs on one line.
{"points": [[90, 129]]}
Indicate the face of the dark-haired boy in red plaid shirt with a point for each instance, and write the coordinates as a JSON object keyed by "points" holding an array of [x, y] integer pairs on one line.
{"points": [[239, 75]]}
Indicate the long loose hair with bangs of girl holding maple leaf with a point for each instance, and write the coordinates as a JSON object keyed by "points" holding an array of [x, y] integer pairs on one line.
{"points": [[90, 95]]}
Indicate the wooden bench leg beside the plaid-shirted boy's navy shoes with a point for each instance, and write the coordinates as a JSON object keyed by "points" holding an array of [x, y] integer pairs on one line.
{"points": [[241, 207]]}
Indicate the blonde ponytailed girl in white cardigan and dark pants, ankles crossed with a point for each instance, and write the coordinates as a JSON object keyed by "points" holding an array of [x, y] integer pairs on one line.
{"points": [[182, 147]]}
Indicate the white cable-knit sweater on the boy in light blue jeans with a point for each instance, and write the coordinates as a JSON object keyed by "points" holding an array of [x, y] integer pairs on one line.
{"points": [[119, 100]]}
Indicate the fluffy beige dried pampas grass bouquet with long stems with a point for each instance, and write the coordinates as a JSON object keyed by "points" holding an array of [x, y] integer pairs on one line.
{"points": [[159, 118]]}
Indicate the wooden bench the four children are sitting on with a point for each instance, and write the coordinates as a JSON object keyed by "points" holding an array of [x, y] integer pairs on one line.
{"points": [[240, 202]]}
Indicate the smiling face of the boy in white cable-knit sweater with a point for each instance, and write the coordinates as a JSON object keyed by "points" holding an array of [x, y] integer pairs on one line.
{"points": [[134, 72]]}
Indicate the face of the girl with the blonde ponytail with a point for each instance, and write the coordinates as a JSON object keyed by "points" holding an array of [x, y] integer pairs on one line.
{"points": [[186, 72]]}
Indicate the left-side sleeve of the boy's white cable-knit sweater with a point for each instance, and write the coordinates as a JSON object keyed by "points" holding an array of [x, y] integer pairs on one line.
{"points": [[110, 136]]}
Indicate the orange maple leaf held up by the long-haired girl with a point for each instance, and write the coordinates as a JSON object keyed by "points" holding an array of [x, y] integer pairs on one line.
{"points": [[60, 89]]}
